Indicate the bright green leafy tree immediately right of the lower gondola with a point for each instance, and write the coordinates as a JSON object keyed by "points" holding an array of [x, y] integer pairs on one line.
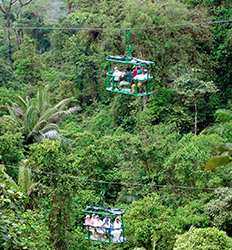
{"points": [[147, 223]]}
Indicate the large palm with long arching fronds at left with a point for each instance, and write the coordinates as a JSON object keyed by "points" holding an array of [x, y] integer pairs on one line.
{"points": [[36, 116]]}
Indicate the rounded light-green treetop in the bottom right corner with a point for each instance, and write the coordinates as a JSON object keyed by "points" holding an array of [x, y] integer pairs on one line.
{"points": [[203, 239]]}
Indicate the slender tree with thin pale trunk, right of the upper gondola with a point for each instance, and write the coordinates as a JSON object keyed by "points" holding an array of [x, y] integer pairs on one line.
{"points": [[192, 88]]}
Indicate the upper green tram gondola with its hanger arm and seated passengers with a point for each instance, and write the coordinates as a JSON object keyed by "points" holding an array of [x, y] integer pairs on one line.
{"points": [[129, 75]]}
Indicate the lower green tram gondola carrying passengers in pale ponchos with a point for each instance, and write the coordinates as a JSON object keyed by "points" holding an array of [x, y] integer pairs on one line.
{"points": [[104, 224]]}
